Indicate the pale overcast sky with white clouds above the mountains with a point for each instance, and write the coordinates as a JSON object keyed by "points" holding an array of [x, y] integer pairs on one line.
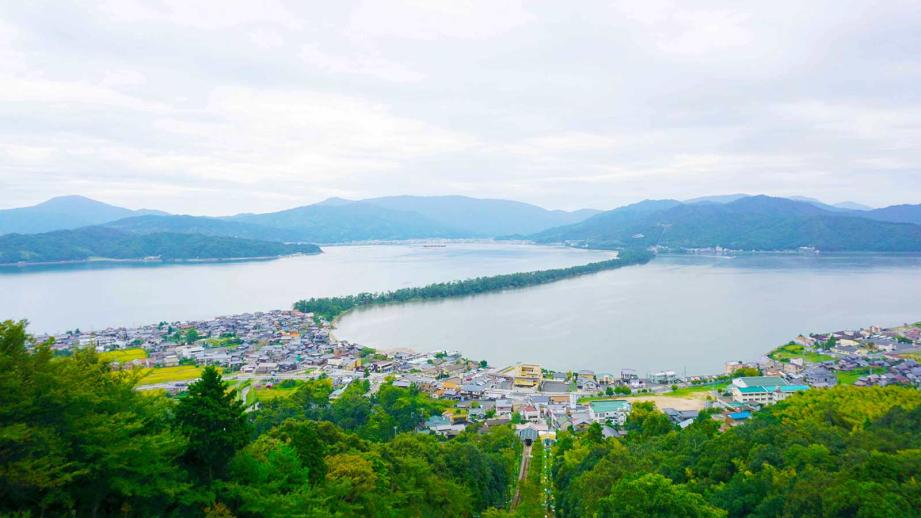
{"points": [[238, 106]]}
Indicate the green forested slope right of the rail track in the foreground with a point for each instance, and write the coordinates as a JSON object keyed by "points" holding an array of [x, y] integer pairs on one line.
{"points": [[847, 451]]}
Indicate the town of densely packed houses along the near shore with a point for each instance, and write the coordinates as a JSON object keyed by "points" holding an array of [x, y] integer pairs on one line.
{"points": [[266, 354]]}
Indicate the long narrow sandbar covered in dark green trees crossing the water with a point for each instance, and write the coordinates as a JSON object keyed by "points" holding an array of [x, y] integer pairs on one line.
{"points": [[329, 308]]}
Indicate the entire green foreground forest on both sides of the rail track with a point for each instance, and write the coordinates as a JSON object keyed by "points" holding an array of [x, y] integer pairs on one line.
{"points": [[77, 439]]}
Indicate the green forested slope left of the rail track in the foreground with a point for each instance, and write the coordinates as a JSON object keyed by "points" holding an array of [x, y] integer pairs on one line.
{"points": [[77, 439]]}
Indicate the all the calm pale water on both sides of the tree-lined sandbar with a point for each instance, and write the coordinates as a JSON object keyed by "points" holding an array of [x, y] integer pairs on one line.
{"points": [[678, 312]]}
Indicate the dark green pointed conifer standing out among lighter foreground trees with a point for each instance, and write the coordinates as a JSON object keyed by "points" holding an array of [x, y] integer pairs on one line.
{"points": [[213, 420]]}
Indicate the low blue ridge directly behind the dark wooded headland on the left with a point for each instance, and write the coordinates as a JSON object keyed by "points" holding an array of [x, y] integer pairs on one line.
{"points": [[206, 226]]}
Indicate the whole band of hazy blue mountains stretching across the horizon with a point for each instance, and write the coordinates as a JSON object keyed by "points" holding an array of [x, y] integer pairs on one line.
{"points": [[736, 221]]}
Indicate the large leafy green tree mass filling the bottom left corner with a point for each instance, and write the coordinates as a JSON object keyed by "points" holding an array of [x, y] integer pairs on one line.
{"points": [[76, 438]]}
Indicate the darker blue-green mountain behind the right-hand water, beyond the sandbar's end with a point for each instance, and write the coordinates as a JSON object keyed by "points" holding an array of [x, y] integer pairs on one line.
{"points": [[751, 223]]}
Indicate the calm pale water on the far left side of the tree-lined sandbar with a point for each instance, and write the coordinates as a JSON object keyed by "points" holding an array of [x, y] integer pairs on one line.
{"points": [[94, 296]]}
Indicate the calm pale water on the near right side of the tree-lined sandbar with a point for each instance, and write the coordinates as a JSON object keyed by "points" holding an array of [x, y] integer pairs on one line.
{"points": [[684, 313]]}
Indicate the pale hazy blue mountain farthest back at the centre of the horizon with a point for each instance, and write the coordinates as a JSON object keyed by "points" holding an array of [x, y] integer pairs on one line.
{"points": [[481, 217]]}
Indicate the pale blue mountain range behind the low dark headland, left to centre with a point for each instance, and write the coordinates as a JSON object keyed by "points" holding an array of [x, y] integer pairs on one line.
{"points": [[334, 220]]}
